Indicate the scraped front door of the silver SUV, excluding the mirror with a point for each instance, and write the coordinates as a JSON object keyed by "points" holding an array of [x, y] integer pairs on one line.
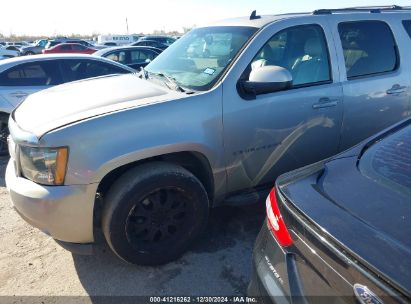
{"points": [[281, 131]]}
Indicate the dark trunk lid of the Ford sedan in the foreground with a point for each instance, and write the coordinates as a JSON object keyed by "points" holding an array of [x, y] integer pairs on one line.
{"points": [[367, 224]]}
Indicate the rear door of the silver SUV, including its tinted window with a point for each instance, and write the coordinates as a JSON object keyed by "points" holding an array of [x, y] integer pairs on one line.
{"points": [[375, 69]]}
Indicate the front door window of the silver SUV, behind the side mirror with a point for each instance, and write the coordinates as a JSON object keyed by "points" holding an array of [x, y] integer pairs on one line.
{"points": [[302, 50]]}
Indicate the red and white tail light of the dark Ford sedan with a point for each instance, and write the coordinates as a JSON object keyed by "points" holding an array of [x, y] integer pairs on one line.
{"points": [[275, 221]]}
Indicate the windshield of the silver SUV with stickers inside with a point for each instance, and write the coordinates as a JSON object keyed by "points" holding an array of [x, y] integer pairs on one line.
{"points": [[198, 59]]}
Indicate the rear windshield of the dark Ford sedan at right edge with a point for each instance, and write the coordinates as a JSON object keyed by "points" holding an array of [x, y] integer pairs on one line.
{"points": [[388, 162]]}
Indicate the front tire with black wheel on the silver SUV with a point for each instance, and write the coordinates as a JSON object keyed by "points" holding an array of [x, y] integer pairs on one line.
{"points": [[153, 213]]}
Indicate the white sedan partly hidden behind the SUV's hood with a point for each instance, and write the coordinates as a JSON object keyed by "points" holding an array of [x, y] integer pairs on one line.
{"points": [[22, 76]]}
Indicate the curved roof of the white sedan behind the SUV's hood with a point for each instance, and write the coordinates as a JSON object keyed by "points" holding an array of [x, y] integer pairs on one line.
{"points": [[7, 63]]}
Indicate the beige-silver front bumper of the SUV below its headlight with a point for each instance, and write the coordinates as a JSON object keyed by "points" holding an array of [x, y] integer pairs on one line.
{"points": [[64, 212]]}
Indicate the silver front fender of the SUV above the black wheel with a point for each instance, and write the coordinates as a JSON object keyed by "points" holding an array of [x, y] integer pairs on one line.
{"points": [[101, 144]]}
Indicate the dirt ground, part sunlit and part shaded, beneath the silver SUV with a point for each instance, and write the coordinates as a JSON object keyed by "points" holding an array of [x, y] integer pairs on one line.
{"points": [[32, 264]]}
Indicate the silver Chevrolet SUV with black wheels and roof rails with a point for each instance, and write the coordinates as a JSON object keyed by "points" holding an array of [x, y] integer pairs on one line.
{"points": [[186, 134]]}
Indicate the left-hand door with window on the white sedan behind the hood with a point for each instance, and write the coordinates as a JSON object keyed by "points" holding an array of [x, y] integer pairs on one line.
{"points": [[18, 82]]}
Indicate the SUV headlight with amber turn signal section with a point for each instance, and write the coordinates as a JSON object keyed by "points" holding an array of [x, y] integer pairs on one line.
{"points": [[45, 166]]}
